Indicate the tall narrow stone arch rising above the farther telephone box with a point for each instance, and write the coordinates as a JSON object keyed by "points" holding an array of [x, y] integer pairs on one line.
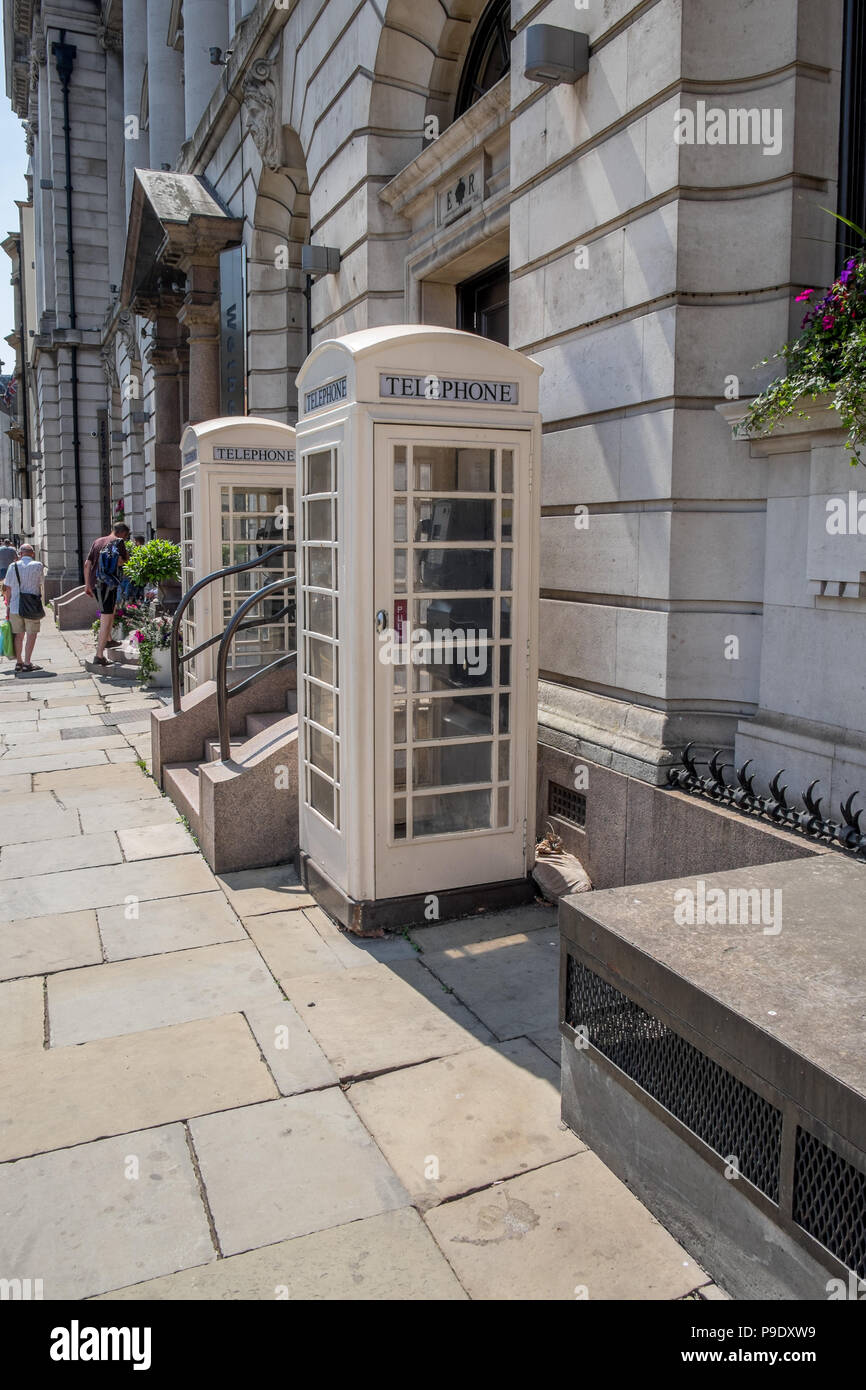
{"points": [[277, 312]]}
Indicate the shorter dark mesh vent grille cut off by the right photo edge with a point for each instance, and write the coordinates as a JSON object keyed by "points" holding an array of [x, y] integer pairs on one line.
{"points": [[831, 1202]]}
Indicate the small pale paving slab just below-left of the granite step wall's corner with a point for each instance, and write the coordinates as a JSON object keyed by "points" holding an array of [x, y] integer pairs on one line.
{"points": [[202, 919]]}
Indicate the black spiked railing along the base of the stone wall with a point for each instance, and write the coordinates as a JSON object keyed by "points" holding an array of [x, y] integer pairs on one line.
{"points": [[742, 796]]}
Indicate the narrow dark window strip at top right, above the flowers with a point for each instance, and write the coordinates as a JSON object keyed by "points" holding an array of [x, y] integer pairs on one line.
{"points": [[853, 136]]}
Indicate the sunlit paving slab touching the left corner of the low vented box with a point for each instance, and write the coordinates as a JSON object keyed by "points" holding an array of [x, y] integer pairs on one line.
{"points": [[483, 1115]]}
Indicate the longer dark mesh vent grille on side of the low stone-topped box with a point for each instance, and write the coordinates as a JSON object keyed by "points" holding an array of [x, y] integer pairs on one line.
{"points": [[726, 1114]]}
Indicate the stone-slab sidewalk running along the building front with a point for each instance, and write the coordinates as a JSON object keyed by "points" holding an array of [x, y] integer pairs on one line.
{"points": [[209, 1092]]}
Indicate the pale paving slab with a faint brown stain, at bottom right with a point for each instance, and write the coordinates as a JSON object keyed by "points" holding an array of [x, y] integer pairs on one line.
{"points": [[564, 1232]]}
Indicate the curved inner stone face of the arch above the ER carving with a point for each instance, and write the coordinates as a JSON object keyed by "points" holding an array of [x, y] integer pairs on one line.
{"points": [[419, 62]]}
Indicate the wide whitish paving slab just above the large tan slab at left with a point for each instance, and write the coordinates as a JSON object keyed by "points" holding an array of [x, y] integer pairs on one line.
{"points": [[155, 992]]}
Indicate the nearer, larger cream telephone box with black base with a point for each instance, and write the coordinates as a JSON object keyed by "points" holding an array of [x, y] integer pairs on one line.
{"points": [[418, 636]]}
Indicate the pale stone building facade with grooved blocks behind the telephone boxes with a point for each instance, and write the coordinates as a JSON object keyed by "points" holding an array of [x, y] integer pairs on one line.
{"points": [[647, 261]]}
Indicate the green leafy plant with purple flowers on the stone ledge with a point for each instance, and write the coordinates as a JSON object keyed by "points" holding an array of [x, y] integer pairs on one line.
{"points": [[829, 359]]}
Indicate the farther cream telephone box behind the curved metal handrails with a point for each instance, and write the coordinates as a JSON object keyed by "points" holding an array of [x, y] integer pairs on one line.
{"points": [[237, 504]]}
